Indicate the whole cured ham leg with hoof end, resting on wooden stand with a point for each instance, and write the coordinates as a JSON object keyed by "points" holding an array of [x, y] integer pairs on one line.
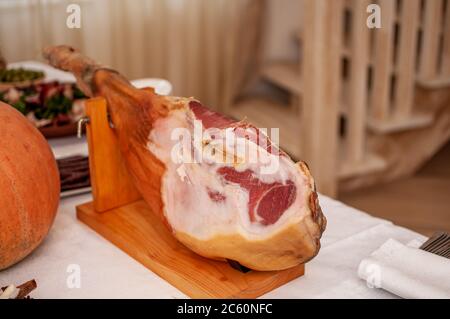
{"points": [[221, 186]]}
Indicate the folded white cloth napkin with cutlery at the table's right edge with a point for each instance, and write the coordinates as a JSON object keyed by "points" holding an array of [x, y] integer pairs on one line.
{"points": [[406, 271]]}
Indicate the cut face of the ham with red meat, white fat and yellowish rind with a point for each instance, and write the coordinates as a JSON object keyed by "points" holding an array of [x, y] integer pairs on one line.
{"points": [[222, 203]]}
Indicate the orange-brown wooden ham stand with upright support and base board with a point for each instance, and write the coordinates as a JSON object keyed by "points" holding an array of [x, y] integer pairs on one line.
{"points": [[120, 215]]}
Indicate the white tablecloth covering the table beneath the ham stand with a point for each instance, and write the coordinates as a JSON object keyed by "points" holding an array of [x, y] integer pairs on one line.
{"points": [[107, 272]]}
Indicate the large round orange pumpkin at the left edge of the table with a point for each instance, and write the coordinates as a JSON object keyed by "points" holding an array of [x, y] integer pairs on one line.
{"points": [[29, 187]]}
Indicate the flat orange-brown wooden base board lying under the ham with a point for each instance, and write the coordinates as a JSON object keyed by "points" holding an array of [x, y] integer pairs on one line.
{"points": [[138, 232]]}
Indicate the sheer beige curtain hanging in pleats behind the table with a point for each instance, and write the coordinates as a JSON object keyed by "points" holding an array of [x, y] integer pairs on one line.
{"points": [[207, 48]]}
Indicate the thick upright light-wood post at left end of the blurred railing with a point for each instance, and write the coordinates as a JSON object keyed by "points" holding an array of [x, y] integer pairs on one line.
{"points": [[319, 126]]}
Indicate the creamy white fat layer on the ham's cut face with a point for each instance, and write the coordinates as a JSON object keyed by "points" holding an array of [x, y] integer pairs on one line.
{"points": [[185, 186]]}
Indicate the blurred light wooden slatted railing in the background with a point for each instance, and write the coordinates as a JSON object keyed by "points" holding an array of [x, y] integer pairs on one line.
{"points": [[355, 107]]}
